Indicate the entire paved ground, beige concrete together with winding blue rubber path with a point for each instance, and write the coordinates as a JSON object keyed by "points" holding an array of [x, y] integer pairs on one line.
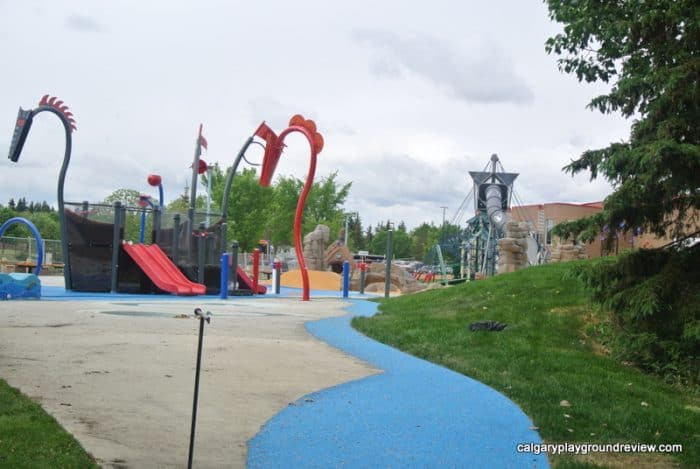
{"points": [[117, 371]]}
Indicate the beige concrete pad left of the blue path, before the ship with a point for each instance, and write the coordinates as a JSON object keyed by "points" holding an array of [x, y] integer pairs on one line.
{"points": [[119, 375]]}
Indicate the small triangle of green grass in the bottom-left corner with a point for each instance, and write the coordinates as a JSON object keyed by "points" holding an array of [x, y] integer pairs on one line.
{"points": [[30, 438]]}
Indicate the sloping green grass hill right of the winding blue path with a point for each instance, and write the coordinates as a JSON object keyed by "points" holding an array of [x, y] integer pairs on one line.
{"points": [[545, 356]]}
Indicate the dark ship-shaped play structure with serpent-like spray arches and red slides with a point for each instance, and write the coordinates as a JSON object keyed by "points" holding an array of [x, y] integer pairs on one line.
{"points": [[185, 251]]}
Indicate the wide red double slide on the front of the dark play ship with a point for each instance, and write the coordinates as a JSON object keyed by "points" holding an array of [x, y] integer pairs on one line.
{"points": [[160, 269]]}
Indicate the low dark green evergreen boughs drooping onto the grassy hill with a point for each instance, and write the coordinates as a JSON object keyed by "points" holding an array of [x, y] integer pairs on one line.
{"points": [[653, 299]]}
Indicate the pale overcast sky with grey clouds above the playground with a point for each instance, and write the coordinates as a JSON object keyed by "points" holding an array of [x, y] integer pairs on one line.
{"points": [[409, 96]]}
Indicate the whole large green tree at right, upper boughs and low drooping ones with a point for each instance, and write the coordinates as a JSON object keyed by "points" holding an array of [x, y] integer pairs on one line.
{"points": [[650, 52]]}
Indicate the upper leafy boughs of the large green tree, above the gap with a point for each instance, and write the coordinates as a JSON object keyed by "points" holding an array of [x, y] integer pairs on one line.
{"points": [[650, 51]]}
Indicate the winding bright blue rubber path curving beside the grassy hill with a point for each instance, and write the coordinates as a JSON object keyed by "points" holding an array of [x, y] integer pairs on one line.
{"points": [[415, 414]]}
